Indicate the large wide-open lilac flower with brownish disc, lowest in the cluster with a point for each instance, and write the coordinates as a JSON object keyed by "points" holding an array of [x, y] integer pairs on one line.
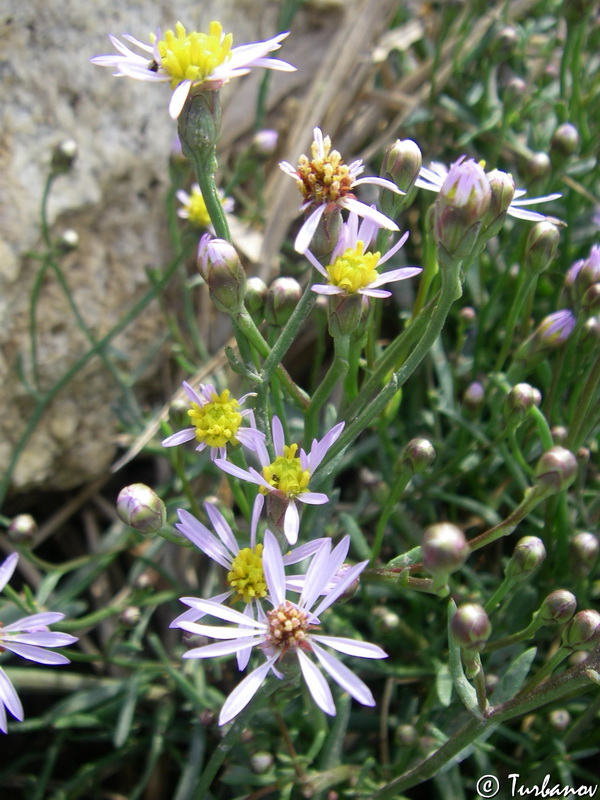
{"points": [[285, 631]]}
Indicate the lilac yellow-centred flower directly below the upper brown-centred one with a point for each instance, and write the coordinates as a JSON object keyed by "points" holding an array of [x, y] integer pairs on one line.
{"points": [[352, 270]]}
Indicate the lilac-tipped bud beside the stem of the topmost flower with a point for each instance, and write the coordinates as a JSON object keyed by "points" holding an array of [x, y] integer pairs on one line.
{"points": [[221, 268]]}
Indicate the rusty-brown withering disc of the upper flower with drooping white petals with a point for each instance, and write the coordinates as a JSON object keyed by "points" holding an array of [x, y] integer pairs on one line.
{"points": [[324, 179]]}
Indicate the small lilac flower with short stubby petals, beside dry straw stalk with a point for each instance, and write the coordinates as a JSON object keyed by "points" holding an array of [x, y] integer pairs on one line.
{"points": [[217, 422]]}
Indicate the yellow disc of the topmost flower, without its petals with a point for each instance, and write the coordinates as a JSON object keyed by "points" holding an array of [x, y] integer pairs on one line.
{"points": [[193, 56]]}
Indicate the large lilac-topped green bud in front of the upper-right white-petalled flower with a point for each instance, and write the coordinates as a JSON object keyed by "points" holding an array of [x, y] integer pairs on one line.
{"points": [[460, 208]]}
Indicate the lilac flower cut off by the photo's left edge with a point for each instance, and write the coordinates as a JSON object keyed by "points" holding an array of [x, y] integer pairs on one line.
{"points": [[27, 637]]}
